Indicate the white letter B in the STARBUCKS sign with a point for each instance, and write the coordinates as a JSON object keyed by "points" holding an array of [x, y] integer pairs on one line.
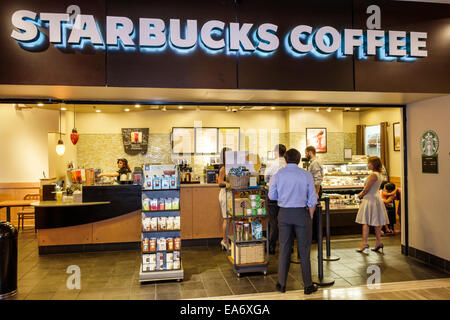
{"points": [[151, 32]]}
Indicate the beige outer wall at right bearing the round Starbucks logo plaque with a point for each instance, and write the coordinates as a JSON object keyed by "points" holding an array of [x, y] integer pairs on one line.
{"points": [[428, 205]]}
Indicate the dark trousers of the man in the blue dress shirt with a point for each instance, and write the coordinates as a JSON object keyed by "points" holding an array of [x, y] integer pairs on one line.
{"points": [[298, 221]]}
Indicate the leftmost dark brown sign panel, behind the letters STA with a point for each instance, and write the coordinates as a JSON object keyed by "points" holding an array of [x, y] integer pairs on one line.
{"points": [[36, 61]]}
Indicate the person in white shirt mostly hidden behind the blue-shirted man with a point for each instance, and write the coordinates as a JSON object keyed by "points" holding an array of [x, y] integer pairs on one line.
{"points": [[273, 207]]}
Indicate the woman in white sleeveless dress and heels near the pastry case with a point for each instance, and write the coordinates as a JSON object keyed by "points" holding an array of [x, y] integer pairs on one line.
{"points": [[372, 211]]}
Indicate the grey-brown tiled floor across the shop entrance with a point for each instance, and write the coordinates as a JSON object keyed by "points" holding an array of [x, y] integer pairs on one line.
{"points": [[114, 275]]}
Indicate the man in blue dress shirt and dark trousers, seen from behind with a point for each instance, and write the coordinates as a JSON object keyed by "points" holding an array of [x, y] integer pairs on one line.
{"points": [[294, 190]]}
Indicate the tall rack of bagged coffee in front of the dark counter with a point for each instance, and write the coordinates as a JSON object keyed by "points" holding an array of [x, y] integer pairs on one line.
{"points": [[159, 275]]}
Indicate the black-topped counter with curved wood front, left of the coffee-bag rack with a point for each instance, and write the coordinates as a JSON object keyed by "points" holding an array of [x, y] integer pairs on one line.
{"points": [[108, 218]]}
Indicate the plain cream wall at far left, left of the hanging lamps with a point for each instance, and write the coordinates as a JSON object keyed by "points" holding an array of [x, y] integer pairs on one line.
{"points": [[23, 143]]}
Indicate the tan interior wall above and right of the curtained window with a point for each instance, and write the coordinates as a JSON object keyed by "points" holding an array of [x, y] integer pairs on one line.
{"points": [[390, 115]]}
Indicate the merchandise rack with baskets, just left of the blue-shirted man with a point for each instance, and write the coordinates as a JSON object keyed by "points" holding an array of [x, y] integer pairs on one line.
{"points": [[234, 246]]}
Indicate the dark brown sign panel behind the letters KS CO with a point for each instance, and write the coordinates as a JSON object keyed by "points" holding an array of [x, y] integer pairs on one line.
{"points": [[286, 68]]}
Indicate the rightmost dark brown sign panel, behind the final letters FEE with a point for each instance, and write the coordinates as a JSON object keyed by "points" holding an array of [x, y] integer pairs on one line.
{"points": [[390, 74]]}
